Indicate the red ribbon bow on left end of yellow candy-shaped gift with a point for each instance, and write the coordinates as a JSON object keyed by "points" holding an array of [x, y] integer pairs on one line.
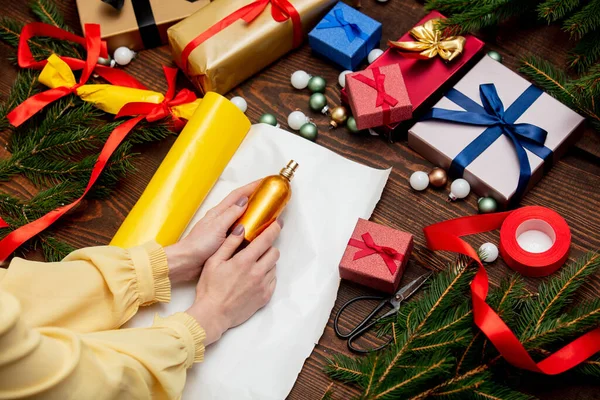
{"points": [[94, 47]]}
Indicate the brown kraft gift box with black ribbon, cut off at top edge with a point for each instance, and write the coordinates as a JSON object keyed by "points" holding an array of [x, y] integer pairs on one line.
{"points": [[140, 23]]}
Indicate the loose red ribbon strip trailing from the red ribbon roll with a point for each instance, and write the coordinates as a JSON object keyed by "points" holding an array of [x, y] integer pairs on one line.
{"points": [[446, 236]]}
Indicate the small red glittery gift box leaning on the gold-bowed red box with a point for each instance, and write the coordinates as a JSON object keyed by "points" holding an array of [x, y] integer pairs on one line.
{"points": [[378, 96]]}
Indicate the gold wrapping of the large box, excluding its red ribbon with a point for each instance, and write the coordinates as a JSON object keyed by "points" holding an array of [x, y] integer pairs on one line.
{"points": [[242, 49]]}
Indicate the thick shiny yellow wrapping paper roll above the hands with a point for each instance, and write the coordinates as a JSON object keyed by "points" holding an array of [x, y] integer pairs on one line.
{"points": [[186, 175]]}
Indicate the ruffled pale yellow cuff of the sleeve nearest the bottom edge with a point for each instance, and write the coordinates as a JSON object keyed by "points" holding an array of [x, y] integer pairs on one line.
{"points": [[189, 331]]}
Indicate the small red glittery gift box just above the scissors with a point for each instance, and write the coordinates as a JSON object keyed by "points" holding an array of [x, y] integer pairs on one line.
{"points": [[376, 256]]}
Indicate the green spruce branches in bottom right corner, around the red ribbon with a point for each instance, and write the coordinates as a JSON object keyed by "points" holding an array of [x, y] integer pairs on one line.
{"points": [[469, 367]]}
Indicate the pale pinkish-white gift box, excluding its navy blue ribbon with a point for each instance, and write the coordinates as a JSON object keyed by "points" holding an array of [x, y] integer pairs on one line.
{"points": [[495, 172]]}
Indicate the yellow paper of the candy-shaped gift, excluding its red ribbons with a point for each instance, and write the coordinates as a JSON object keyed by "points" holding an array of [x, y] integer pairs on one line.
{"points": [[108, 98]]}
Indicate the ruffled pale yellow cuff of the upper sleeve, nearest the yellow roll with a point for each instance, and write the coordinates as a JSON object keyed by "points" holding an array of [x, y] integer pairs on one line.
{"points": [[152, 270]]}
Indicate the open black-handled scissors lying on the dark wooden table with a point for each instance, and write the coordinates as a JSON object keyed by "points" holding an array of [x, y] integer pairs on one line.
{"points": [[394, 301]]}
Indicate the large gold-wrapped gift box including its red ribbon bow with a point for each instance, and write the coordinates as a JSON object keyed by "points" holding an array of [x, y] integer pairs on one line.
{"points": [[229, 41]]}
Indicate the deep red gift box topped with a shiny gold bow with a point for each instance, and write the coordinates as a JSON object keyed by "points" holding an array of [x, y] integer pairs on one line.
{"points": [[423, 75]]}
